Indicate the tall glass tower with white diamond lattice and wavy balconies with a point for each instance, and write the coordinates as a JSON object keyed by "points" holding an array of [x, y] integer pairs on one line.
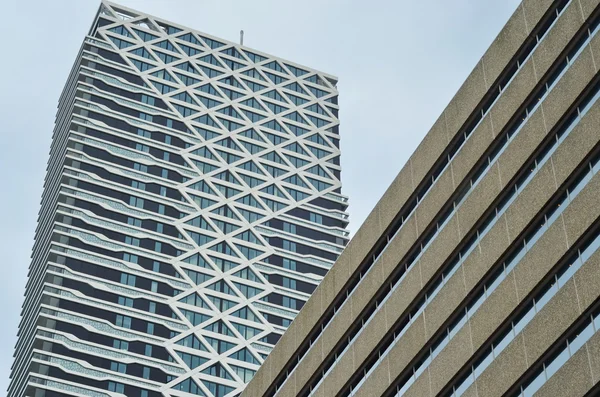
{"points": [[192, 203]]}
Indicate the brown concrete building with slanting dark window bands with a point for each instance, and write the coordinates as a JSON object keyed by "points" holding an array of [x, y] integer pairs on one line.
{"points": [[478, 272]]}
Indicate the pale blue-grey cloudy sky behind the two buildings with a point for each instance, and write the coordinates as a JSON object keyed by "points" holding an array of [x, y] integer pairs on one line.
{"points": [[399, 63]]}
